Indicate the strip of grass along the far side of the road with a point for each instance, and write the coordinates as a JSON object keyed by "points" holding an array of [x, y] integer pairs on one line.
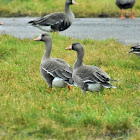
{"points": [[86, 8]]}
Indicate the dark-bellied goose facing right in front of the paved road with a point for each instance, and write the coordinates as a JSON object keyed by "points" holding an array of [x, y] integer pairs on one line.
{"points": [[57, 21]]}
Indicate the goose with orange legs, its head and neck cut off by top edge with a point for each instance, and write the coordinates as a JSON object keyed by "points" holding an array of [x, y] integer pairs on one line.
{"points": [[125, 4]]}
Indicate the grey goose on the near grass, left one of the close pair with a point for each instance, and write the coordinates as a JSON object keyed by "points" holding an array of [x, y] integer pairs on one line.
{"points": [[55, 71]]}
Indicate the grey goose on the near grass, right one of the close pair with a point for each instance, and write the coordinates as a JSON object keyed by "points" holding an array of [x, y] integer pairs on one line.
{"points": [[88, 77]]}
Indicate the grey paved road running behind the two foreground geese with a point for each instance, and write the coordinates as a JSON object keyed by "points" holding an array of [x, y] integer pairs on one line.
{"points": [[125, 31]]}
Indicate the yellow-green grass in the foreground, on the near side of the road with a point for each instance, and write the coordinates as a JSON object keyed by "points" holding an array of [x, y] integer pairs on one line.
{"points": [[28, 110]]}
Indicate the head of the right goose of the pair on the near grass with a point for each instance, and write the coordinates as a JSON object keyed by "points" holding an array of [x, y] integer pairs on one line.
{"points": [[76, 47]]}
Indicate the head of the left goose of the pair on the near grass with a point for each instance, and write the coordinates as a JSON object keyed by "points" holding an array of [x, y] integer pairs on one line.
{"points": [[43, 37]]}
